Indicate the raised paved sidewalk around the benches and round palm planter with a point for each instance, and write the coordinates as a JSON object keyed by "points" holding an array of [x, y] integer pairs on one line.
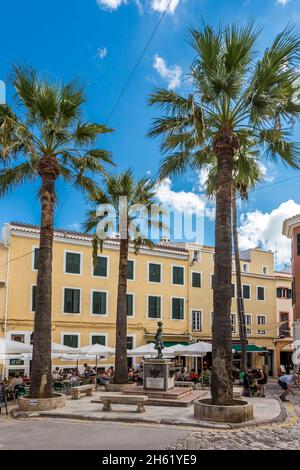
{"points": [[266, 410]]}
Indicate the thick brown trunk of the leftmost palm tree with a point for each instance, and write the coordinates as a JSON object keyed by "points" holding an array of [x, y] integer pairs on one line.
{"points": [[41, 378]]}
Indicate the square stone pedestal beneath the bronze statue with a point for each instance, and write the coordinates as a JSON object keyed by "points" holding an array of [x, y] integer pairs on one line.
{"points": [[159, 375]]}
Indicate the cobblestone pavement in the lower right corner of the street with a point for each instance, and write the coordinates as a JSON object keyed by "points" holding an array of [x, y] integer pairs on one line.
{"points": [[278, 436]]}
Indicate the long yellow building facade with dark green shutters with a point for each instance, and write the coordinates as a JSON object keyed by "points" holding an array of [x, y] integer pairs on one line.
{"points": [[172, 282]]}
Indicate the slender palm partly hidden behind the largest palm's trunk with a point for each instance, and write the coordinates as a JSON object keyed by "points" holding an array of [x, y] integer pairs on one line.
{"points": [[246, 174]]}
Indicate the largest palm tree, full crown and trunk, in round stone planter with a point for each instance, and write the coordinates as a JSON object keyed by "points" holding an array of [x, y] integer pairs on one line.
{"points": [[237, 96]]}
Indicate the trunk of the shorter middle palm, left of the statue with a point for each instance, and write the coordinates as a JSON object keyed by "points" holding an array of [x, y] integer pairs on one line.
{"points": [[121, 367]]}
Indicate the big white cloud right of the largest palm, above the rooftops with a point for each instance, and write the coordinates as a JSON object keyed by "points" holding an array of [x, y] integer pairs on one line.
{"points": [[265, 229]]}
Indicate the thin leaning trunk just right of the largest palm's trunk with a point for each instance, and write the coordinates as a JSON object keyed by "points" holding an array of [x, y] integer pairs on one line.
{"points": [[239, 293]]}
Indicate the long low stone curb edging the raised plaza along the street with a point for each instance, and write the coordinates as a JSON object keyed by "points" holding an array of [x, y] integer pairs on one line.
{"points": [[169, 422]]}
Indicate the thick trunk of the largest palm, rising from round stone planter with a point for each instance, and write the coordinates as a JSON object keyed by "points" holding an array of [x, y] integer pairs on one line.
{"points": [[221, 385]]}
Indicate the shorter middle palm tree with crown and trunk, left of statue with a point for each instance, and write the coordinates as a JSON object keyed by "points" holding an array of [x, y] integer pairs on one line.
{"points": [[118, 187]]}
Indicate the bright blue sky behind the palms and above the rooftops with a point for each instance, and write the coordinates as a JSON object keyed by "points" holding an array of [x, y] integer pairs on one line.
{"points": [[86, 38]]}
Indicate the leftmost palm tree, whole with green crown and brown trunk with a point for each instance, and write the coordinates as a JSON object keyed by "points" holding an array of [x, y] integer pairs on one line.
{"points": [[46, 139]]}
